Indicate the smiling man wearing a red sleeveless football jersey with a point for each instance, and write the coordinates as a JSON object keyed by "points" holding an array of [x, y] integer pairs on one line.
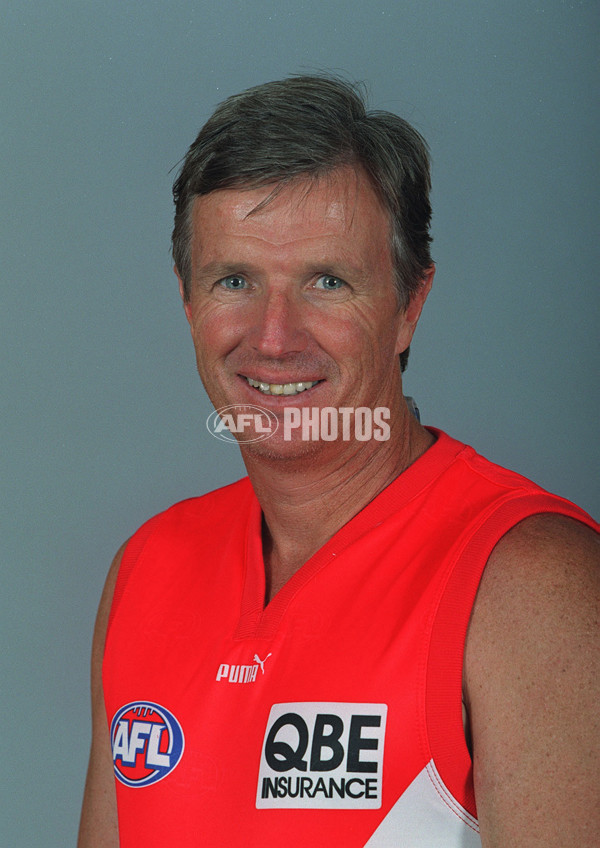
{"points": [[315, 654]]}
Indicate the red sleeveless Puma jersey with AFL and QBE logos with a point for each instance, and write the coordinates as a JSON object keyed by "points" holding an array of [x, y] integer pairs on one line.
{"points": [[330, 717]]}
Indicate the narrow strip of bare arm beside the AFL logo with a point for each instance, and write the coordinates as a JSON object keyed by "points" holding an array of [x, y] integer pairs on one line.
{"points": [[98, 827]]}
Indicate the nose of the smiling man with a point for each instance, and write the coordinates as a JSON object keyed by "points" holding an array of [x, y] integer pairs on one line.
{"points": [[278, 327]]}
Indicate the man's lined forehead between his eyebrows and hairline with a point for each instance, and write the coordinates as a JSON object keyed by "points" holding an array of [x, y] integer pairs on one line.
{"points": [[340, 207]]}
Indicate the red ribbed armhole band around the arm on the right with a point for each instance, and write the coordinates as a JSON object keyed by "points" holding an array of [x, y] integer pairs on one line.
{"points": [[443, 691]]}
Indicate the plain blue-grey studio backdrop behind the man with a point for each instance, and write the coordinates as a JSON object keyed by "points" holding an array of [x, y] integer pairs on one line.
{"points": [[103, 416]]}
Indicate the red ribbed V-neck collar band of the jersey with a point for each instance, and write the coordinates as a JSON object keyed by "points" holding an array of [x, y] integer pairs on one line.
{"points": [[256, 620]]}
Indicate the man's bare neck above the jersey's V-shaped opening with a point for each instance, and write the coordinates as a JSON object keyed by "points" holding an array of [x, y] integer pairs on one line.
{"points": [[306, 499]]}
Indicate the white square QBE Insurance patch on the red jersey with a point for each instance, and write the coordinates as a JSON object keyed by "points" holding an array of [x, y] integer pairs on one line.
{"points": [[322, 755]]}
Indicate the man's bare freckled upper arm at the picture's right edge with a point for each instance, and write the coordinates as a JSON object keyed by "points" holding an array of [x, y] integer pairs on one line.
{"points": [[532, 673]]}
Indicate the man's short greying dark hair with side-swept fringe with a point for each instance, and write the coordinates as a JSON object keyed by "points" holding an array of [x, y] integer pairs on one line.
{"points": [[307, 126]]}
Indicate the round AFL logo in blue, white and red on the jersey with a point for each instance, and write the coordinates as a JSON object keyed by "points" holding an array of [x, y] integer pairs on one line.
{"points": [[147, 743]]}
